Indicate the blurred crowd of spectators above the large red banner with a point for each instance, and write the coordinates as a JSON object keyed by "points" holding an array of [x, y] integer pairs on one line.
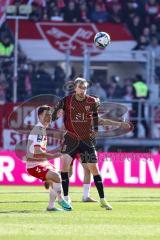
{"points": [[142, 18]]}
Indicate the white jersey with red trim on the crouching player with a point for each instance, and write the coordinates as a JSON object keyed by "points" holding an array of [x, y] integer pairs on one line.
{"points": [[36, 138]]}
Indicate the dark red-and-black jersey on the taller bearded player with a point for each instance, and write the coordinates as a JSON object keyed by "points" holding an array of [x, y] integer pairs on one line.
{"points": [[80, 117]]}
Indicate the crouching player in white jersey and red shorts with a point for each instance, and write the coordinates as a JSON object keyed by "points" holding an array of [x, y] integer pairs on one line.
{"points": [[37, 164]]}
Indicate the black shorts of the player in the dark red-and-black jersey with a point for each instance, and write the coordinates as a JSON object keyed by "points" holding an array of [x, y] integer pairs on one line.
{"points": [[86, 148]]}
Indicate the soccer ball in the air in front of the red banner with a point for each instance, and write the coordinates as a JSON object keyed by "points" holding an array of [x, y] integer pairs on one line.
{"points": [[102, 39]]}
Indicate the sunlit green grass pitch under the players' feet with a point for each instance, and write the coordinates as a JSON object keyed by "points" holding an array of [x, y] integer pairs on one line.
{"points": [[135, 215]]}
